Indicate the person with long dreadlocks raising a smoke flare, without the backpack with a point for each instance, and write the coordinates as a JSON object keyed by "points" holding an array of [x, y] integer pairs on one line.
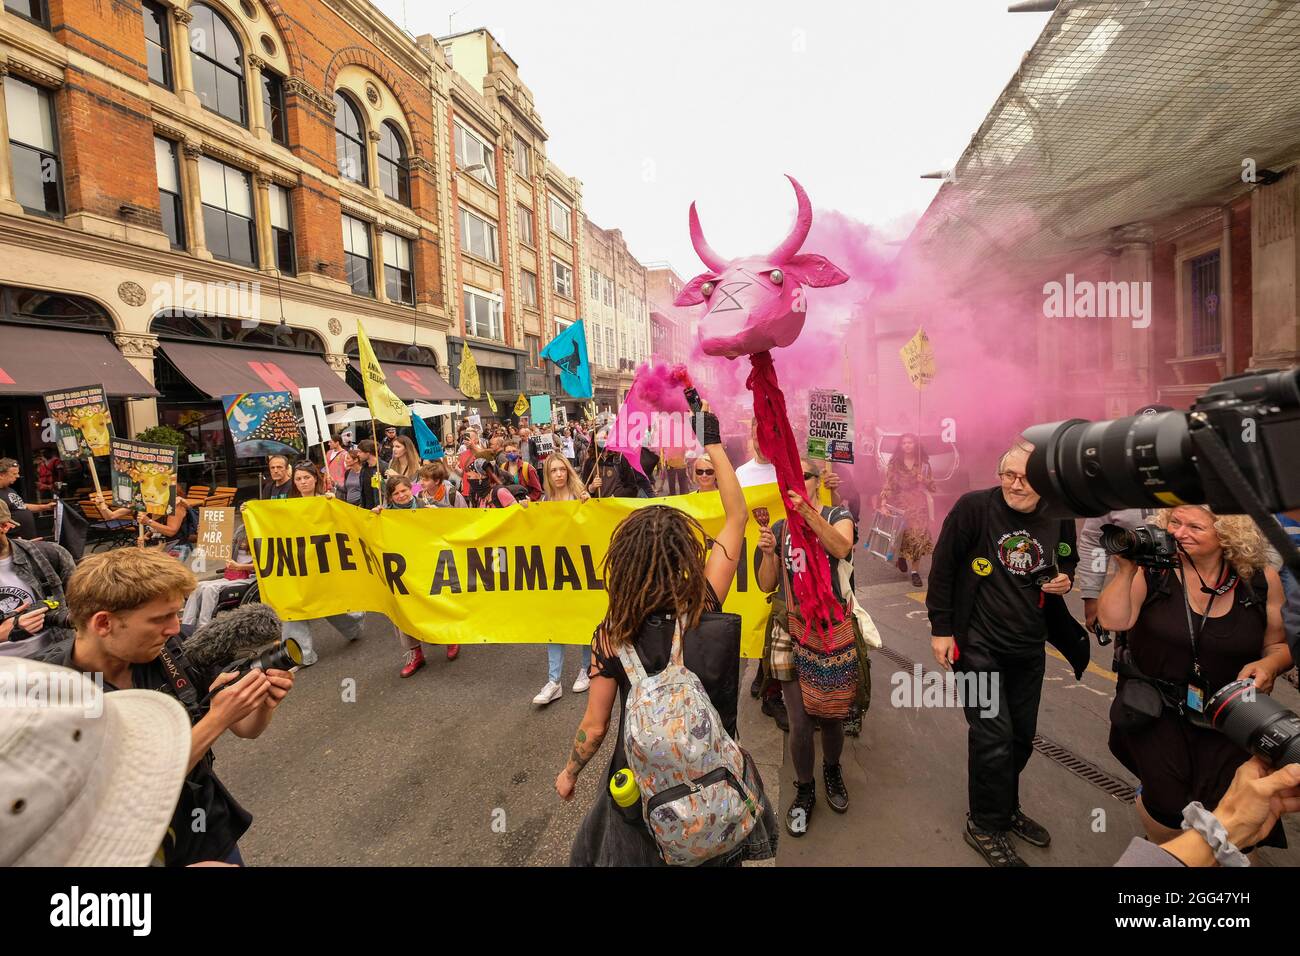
{"points": [[657, 574]]}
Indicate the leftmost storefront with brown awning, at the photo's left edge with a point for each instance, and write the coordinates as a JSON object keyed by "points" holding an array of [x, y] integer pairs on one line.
{"points": [[50, 341]]}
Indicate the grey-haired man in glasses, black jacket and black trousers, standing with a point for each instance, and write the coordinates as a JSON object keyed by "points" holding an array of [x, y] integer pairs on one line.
{"points": [[996, 586]]}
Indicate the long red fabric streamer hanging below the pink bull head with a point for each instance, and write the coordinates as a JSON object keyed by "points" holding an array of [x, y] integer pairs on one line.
{"points": [[777, 442]]}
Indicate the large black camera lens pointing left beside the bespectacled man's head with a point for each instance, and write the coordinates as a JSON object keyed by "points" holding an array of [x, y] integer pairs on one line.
{"points": [[1094, 468]]}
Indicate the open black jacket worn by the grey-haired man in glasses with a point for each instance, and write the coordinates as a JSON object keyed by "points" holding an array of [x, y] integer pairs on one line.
{"points": [[954, 582]]}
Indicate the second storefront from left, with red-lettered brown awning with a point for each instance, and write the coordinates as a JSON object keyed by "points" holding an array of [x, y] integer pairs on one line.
{"points": [[202, 358]]}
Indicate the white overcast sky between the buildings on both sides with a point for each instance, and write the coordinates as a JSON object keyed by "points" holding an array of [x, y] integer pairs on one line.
{"points": [[657, 105]]}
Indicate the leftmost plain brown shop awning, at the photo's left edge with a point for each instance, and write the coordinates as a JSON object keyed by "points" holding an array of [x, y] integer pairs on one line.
{"points": [[34, 361]]}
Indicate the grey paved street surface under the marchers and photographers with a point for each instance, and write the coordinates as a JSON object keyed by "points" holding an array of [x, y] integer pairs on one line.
{"points": [[456, 767]]}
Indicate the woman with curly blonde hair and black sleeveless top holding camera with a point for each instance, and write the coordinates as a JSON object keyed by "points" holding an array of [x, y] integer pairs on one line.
{"points": [[1212, 618]]}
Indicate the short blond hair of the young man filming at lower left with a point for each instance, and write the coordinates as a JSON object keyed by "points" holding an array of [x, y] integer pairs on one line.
{"points": [[123, 581]]}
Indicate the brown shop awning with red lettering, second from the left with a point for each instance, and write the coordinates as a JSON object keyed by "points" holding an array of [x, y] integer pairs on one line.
{"points": [[218, 370]]}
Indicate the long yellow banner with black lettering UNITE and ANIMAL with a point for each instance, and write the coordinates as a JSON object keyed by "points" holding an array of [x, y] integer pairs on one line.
{"points": [[518, 576]]}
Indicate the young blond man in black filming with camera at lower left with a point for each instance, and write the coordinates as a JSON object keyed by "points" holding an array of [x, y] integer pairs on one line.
{"points": [[125, 609]]}
